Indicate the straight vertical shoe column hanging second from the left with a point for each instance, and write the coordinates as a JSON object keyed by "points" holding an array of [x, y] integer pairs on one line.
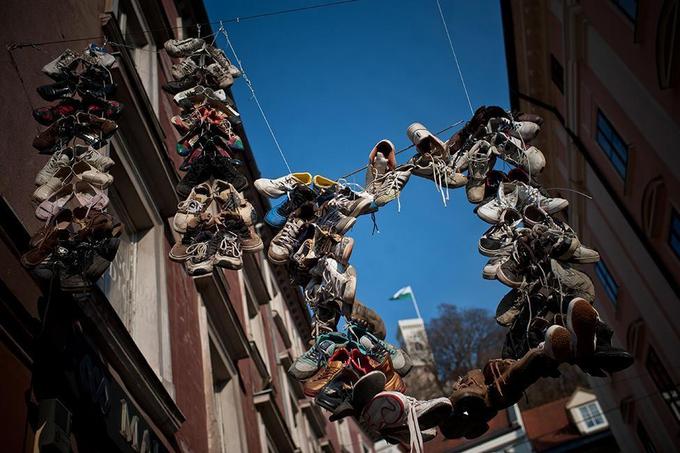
{"points": [[215, 220]]}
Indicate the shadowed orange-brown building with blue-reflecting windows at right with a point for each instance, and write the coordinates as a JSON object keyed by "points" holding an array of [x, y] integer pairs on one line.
{"points": [[605, 76]]}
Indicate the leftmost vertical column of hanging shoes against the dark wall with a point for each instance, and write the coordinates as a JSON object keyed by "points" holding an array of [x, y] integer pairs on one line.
{"points": [[78, 239]]}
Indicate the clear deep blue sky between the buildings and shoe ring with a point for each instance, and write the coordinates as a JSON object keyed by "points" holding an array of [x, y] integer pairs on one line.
{"points": [[334, 81]]}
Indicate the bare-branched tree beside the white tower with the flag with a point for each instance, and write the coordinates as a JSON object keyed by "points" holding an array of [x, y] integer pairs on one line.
{"points": [[463, 339]]}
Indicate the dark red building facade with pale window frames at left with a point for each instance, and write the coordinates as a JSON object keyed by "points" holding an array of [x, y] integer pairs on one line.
{"points": [[151, 360]]}
